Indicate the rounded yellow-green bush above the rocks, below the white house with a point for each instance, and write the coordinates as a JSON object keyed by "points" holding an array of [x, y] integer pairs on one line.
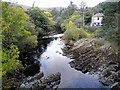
{"points": [[74, 33]]}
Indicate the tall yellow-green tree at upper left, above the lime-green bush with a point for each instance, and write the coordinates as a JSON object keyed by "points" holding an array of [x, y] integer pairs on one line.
{"points": [[14, 22]]}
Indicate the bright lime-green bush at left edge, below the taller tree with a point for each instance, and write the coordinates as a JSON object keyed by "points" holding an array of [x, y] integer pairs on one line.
{"points": [[10, 59]]}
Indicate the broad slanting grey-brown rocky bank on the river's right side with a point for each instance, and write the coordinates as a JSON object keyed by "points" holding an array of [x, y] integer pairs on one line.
{"points": [[95, 56]]}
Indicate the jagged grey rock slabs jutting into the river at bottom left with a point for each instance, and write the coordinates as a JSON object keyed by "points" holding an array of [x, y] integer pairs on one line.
{"points": [[38, 82]]}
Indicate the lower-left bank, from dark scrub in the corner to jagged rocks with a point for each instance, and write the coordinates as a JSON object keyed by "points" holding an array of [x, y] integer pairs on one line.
{"points": [[16, 79]]}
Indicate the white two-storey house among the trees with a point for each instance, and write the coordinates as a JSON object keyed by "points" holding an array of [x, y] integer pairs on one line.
{"points": [[97, 19]]}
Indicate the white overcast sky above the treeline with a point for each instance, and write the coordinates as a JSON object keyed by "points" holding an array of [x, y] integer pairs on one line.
{"points": [[55, 3]]}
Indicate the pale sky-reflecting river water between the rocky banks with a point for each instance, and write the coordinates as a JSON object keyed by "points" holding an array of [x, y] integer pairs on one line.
{"points": [[53, 61]]}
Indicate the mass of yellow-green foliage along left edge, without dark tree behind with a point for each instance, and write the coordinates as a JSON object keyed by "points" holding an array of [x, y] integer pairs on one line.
{"points": [[16, 34]]}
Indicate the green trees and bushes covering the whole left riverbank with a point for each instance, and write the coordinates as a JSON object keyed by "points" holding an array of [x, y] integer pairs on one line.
{"points": [[20, 31]]}
